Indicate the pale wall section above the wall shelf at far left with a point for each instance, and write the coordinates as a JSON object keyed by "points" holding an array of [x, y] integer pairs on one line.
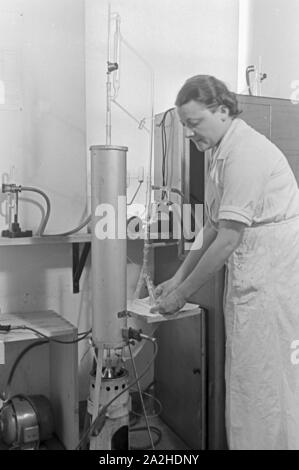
{"points": [[45, 133]]}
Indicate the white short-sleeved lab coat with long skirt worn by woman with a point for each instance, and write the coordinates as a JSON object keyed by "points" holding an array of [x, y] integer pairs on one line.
{"points": [[250, 181]]}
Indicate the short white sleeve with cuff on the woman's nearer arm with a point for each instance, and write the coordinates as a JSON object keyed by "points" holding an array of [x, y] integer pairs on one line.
{"points": [[244, 176]]}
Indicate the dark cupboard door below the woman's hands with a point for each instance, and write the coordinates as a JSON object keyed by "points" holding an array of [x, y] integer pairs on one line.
{"points": [[178, 374]]}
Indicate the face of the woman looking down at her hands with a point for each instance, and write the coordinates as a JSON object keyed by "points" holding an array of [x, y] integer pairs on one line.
{"points": [[204, 127]]}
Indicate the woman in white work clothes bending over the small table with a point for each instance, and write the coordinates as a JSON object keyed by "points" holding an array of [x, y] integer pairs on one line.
{"points": [[252, 204]]}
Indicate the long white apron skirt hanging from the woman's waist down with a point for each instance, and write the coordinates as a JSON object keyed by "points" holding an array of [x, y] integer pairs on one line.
{"points": [[261, 309]]}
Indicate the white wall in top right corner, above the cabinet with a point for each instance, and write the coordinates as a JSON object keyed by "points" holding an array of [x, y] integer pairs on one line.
{"points": [[271, 32]]}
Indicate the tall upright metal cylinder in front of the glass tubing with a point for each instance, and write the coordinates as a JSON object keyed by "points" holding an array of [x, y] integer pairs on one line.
{"points": [[109, 244]]}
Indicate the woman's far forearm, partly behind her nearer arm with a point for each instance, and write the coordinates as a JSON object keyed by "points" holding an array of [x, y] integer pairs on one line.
{"points": [[199, 247]]}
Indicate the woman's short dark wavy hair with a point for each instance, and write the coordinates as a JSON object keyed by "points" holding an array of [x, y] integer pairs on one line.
{"points": [[209, 91]]}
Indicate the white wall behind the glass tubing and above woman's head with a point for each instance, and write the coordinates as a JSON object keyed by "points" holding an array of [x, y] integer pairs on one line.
{"points": [[178, 38]]}
